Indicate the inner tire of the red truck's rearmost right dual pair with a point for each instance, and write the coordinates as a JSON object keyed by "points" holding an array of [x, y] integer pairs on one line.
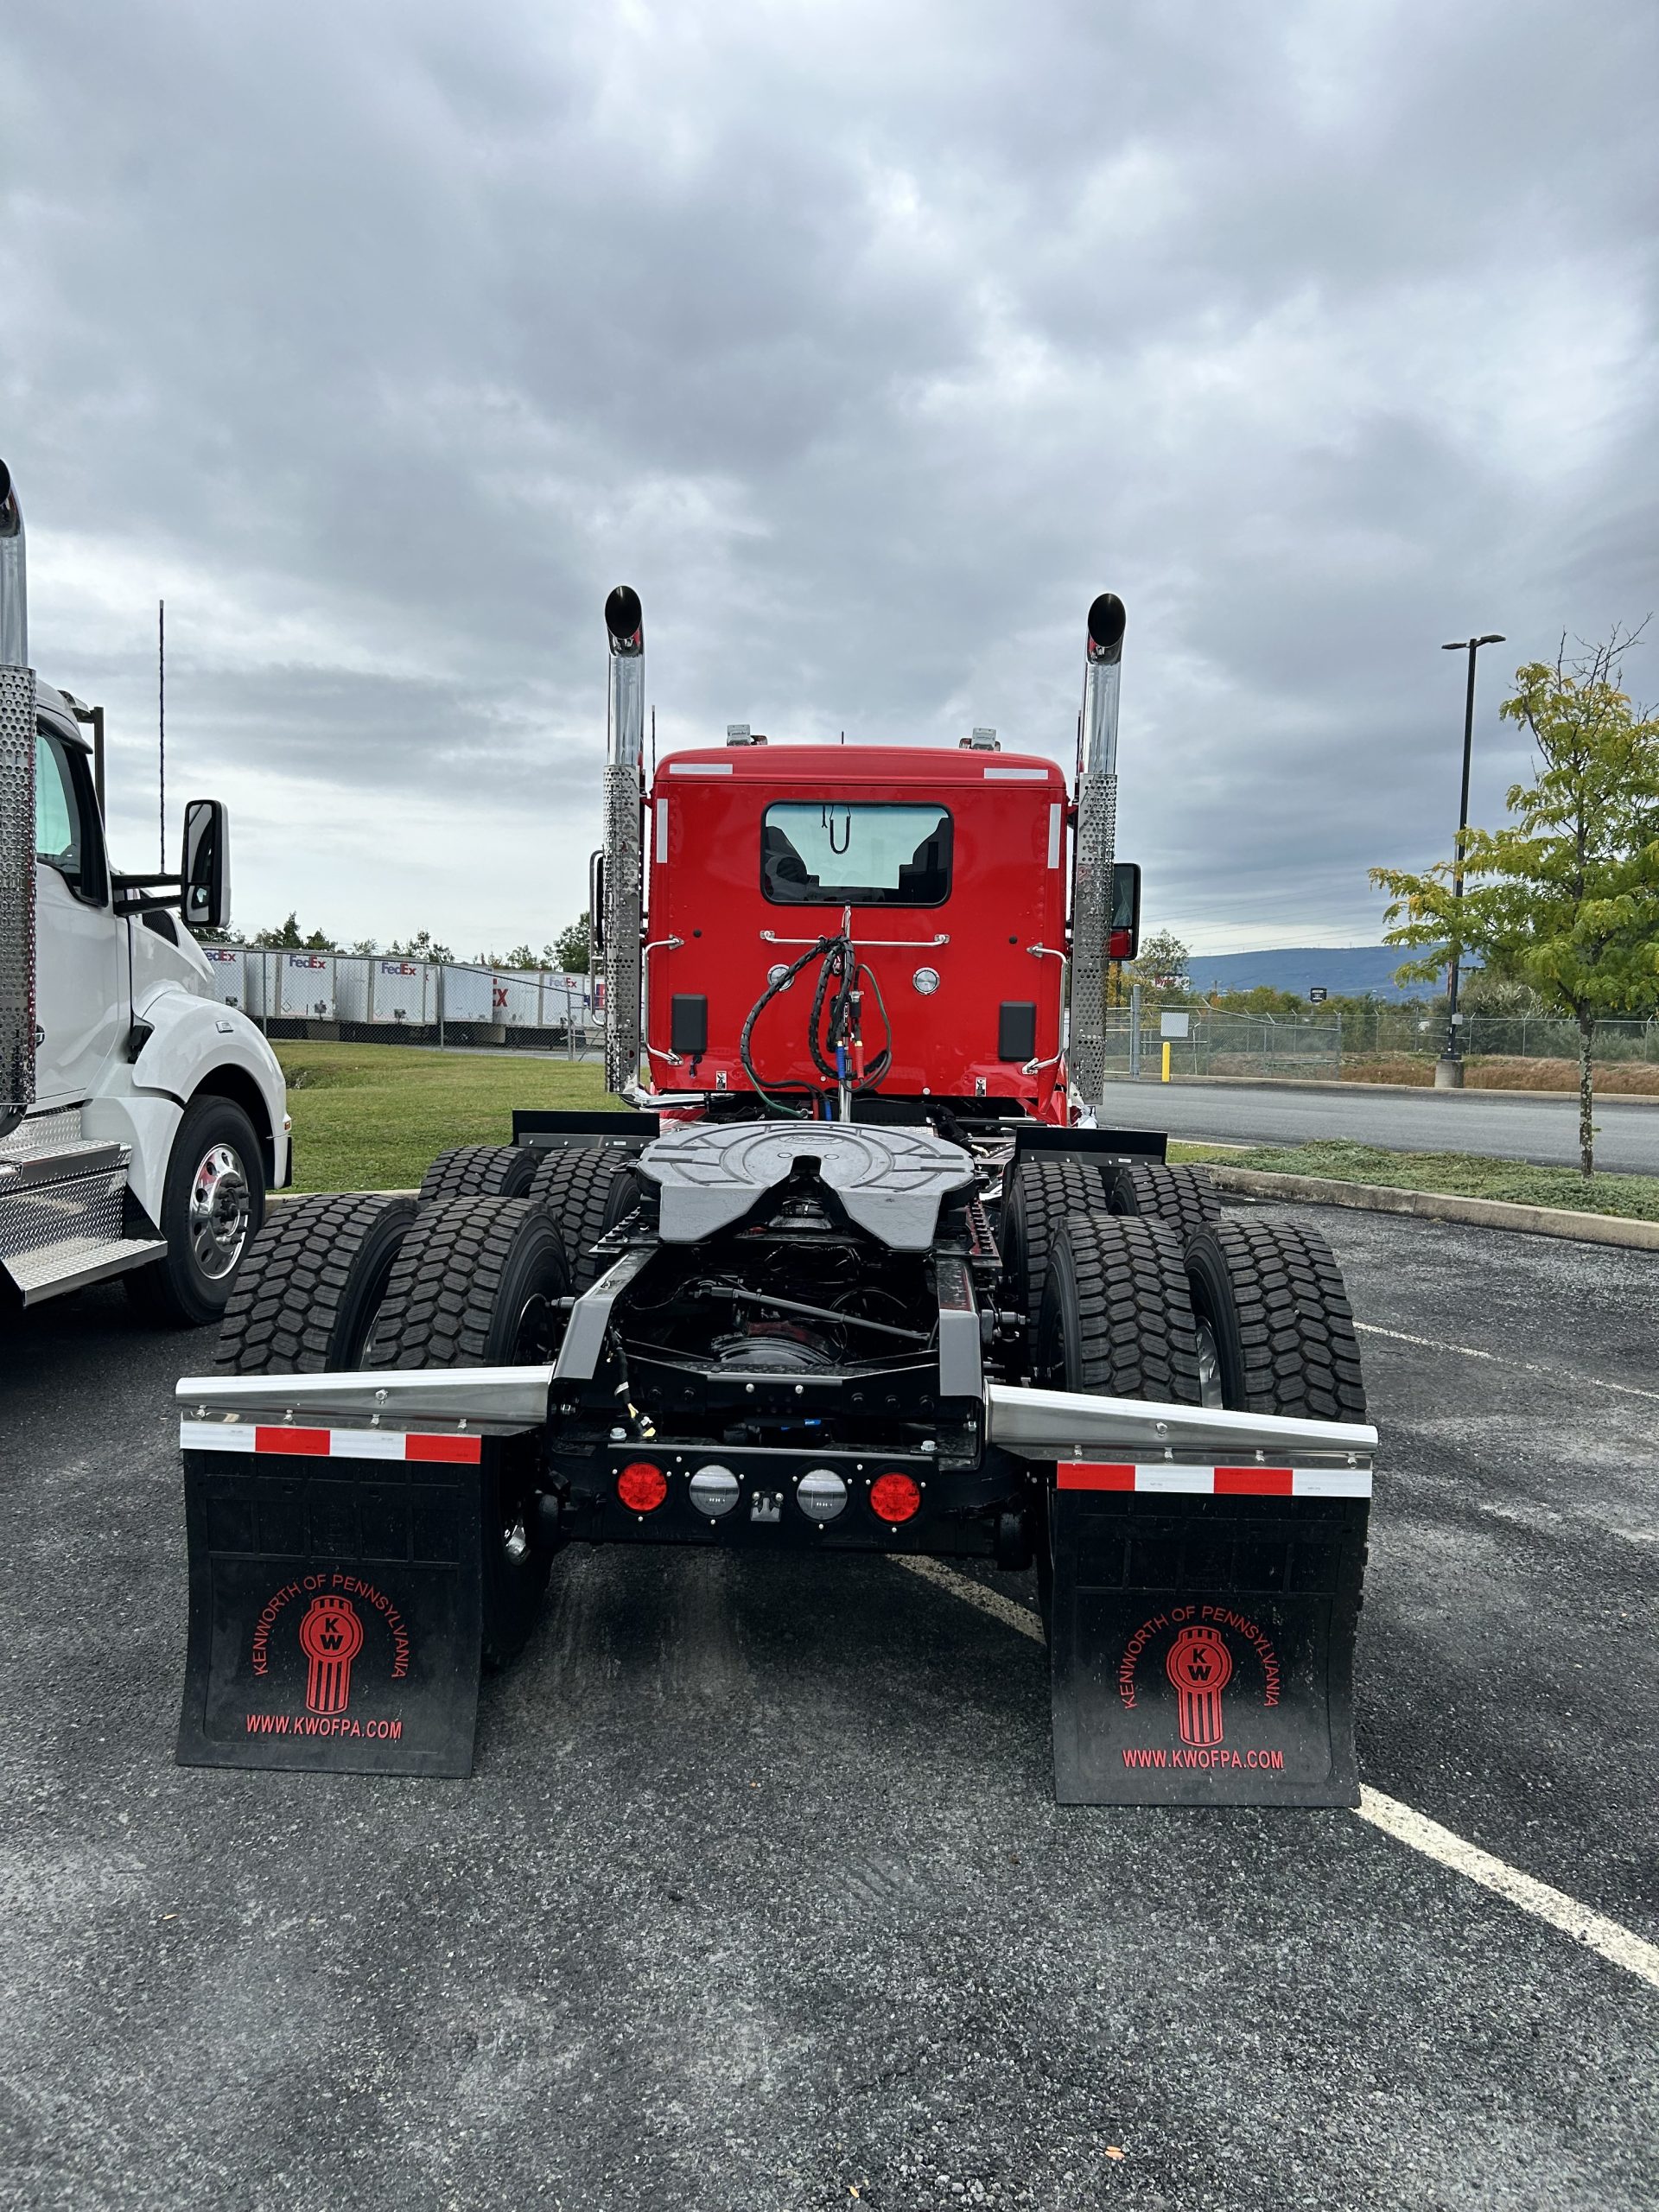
{"points": [[1116, 1324]]}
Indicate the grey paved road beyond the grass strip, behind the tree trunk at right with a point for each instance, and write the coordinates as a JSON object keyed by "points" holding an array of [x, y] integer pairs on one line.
{"points": [[1512, 1125]]}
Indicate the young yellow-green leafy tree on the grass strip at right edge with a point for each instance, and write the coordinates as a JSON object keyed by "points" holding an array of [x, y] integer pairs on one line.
{"points": [[1567, 899]]}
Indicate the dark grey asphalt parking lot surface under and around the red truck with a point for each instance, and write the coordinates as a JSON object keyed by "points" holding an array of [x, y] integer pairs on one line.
{"points": [[760, 1897]]}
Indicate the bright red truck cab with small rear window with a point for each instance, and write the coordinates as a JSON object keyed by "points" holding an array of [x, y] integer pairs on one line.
{"points": [[946, 870]]}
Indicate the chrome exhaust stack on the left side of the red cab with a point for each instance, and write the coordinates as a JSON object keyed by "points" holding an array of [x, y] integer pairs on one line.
{"points": [[623, 846]]}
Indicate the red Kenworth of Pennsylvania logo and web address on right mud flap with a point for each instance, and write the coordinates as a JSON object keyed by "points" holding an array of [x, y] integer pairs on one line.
{"points": [[1198, 1649]]}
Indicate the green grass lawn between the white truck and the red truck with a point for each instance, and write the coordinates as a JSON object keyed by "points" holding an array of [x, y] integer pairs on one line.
{"points": [[377, 1116]]}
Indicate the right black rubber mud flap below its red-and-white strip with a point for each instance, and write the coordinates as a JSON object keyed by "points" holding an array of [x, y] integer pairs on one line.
{"points": [[1202, 1647]]}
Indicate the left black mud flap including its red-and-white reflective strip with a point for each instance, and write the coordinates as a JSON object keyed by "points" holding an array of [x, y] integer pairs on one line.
{"points": [[335, 1609]]}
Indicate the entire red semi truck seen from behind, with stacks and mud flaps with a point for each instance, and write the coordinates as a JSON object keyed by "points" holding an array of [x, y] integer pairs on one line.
{"points": [[851, 1269]]}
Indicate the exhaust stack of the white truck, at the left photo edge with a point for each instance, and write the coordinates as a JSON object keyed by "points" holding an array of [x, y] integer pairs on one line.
{"points": [[17, 822]]}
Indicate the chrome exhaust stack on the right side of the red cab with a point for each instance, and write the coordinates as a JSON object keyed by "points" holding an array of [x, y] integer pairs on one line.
{"points": [[1092, 893]]}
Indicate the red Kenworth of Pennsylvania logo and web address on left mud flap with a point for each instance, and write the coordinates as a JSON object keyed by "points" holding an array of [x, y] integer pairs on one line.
{"points": [[353, 1642]]}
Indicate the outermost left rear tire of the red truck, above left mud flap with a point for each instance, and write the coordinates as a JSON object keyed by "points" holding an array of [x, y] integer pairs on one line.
{"points": [[311, 1286]]}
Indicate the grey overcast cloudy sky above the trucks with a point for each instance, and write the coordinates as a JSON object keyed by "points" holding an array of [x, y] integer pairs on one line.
{"points": [[868, 340]]}
